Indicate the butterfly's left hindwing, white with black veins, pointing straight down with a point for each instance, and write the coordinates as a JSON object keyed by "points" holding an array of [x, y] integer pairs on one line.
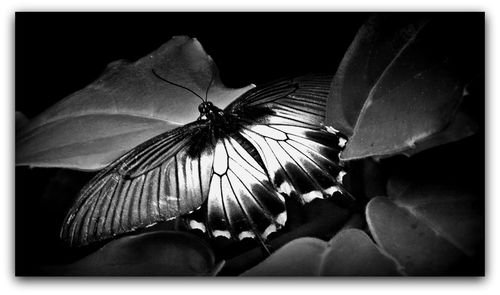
{"points": [[242, 202]]}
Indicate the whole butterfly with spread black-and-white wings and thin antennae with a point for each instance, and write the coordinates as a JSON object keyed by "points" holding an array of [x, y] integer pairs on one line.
{"points": [[240, 163]]}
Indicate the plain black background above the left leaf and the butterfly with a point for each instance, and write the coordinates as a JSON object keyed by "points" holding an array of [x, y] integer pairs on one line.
{"points": [[60, 53]]}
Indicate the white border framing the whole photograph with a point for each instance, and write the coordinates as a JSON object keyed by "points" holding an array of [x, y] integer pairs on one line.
{"points": [[8, 283]]}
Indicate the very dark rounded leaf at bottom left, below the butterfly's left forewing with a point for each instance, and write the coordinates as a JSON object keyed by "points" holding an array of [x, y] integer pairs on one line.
{"points": [[160, 253]]}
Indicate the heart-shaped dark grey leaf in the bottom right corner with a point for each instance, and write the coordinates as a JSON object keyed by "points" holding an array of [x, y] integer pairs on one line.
{"points": [[417, 231]]}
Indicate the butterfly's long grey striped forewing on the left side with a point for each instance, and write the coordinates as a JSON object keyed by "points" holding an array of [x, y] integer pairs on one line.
{"points": [[158, 180]]}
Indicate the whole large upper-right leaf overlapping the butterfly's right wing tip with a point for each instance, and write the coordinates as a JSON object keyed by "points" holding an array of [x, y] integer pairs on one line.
{"points": [[400, 82]]}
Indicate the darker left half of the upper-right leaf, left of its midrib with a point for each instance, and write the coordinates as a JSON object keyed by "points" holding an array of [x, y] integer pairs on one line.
{"points": [[373, 48]]}
